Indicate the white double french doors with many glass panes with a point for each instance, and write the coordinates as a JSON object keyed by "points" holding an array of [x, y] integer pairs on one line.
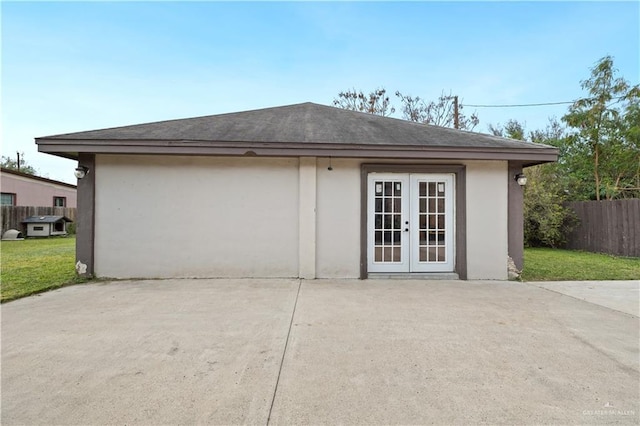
{"points": [[410, 222]]}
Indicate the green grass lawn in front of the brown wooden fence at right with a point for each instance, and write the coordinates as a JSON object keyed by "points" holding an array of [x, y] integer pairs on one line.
{"points": [[544, 264]]}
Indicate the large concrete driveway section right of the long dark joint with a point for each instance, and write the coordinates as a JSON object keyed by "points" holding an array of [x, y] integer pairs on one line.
{"points": [[411, 352]]}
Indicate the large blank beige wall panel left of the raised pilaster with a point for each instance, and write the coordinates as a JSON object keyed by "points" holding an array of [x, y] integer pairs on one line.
{"points": [[167, 216]]}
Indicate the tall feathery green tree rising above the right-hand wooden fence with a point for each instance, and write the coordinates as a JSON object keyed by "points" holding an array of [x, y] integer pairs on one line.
{"points": [[603, 151]]}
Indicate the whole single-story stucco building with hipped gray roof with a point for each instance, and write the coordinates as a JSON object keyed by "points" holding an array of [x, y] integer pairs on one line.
{"points": [[303, 190]]}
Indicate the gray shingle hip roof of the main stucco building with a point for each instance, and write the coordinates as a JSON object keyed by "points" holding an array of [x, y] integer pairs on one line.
{"points": [[307, 123]]}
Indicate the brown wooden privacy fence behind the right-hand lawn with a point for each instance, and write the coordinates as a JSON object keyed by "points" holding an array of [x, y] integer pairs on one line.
{"points": [[611, 227]]}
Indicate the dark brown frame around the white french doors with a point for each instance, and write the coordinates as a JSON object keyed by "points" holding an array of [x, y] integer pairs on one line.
{"points": [[460, 240]]}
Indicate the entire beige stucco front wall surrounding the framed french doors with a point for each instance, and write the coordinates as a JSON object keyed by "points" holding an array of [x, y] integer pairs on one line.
{"points": [[254, 217]]}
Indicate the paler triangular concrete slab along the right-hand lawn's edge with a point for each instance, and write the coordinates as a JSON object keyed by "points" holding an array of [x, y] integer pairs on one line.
{"points": [[623, 296]]}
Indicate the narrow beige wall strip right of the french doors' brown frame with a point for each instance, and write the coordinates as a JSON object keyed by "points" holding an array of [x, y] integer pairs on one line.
{"points": [[487, 217]]}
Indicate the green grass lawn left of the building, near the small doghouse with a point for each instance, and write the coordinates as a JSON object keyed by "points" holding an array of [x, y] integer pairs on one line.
{"points": [[36, 265]]}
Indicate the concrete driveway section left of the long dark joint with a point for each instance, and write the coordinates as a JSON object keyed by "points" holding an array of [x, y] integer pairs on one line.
{"points": [[145, 352]]}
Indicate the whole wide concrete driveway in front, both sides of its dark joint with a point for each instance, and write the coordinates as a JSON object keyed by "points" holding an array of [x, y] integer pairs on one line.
{"points": [[311, 352]]}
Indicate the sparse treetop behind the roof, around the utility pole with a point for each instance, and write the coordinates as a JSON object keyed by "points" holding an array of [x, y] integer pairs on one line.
{"points": [[439, 113]]}
